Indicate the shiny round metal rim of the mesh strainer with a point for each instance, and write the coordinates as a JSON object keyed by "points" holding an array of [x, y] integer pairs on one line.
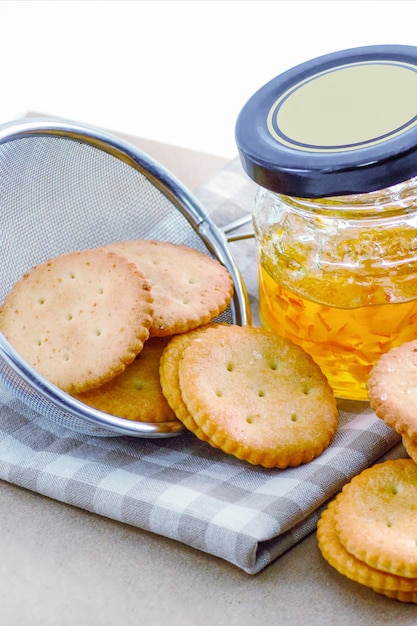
{"points": [[213, 237]]}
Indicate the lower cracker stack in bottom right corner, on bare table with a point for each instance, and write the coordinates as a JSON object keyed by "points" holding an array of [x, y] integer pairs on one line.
{"points": [[369, 532]]}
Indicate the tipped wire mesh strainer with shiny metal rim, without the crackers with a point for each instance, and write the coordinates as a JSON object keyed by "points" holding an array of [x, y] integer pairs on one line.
{"points": [[65, 187]]}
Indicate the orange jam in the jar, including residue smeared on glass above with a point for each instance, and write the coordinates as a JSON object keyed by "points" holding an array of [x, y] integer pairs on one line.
{"points": [[345, 306]]}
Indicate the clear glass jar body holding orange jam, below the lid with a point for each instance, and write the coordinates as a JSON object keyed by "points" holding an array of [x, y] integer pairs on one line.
{"points": [[338, 276]]}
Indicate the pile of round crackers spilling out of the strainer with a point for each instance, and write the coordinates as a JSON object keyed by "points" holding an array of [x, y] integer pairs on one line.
{"points": [[128, 329]]}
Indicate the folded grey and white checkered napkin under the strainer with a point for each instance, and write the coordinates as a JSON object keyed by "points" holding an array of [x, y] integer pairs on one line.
{"points": [[181, 487]]}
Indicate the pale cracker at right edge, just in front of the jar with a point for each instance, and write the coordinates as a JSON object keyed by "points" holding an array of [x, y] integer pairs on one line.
{"points": [[392, 388]]}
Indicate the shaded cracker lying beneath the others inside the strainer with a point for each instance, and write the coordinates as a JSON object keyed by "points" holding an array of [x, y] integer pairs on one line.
{"points": [[136, 393]]}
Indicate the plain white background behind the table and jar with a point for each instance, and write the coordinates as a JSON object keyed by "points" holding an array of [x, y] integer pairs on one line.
{"points": [[176, 72]]}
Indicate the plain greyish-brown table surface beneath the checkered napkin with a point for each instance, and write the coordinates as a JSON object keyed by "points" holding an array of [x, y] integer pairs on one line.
{"points": [[61, 565]]}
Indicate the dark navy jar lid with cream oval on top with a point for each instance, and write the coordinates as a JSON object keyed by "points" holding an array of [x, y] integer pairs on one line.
{"points": [[339, 124]]}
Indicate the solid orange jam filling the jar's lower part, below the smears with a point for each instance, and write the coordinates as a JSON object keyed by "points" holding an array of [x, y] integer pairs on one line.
{"points": [[344, 342]]}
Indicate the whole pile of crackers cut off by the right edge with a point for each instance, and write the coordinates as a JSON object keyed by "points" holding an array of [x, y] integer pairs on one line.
{"points": [[369, 532]]}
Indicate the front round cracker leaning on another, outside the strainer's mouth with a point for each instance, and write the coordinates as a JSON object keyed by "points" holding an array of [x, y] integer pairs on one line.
{"points": [[256, 396]]}
